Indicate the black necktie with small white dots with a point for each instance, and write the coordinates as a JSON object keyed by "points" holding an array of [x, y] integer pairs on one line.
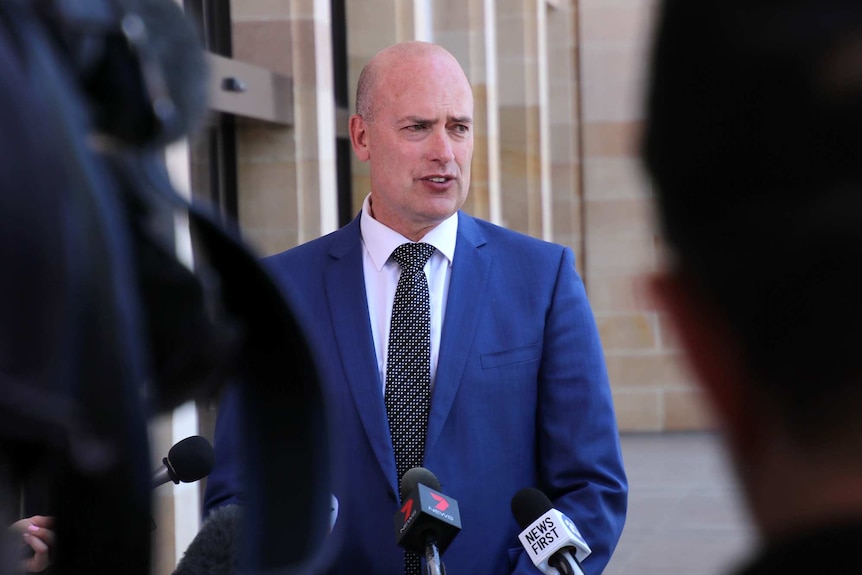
{"points": [[408, 366]]}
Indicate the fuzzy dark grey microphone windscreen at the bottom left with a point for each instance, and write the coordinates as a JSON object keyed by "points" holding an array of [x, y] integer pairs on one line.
{"points": [[214, 549]]}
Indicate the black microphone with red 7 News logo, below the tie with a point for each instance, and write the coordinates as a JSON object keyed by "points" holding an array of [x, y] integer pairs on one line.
{"points": [[428, 521]]}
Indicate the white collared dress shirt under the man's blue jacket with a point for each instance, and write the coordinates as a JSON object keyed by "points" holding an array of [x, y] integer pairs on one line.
{"points": [[382, 273]]}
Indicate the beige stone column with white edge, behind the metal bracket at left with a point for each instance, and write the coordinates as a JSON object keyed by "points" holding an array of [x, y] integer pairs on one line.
{"points": [[287, 189]]}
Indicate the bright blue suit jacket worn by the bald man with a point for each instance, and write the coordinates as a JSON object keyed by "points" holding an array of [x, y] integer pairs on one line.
{"points": [[521, 398]]}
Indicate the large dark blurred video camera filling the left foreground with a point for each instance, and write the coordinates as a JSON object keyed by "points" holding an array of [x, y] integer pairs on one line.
{"points": [[101, 325]]}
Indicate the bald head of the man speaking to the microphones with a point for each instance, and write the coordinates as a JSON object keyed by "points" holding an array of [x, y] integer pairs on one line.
{"points": [[414, 127]]}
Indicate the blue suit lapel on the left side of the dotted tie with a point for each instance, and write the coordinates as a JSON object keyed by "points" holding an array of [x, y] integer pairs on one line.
{"points": [[345, 292]]}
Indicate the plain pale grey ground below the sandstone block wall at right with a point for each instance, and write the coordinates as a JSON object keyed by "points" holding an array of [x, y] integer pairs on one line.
{"points": [[685, 514]]}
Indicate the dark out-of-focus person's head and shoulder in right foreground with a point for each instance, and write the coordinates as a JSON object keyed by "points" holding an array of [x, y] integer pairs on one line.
{"points": [[752, 141]]}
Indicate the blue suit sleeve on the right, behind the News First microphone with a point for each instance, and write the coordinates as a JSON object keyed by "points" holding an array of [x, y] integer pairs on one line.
{"points": [[579, 458]]}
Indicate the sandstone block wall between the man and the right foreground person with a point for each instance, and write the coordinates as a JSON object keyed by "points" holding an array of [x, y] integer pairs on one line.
{"points": [[650, 385]]}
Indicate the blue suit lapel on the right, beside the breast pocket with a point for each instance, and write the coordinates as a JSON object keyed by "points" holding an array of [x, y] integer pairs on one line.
{"points": [[467, 289]]}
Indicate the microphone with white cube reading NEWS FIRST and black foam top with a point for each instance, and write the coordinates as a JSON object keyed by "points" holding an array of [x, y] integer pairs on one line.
{"points": [[553, 543]]}
